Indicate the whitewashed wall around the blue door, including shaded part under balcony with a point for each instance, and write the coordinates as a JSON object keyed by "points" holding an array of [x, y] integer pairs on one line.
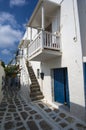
{"points": [[71, 58]]}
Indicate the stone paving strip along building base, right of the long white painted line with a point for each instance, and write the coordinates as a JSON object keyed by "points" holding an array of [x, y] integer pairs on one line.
{"points": [[61, 118]]}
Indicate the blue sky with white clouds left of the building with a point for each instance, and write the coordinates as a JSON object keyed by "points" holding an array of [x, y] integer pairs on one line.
{"points": [[14, 15]]}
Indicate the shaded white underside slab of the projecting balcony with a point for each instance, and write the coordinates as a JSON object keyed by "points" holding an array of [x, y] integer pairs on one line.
{"points": [[45, 54]]}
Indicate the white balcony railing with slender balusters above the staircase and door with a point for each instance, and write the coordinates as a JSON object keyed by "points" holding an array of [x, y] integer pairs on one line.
{"points": [[44, 40]]}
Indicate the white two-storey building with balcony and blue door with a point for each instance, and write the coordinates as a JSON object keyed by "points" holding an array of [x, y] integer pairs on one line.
{"points": [[58, 50]]}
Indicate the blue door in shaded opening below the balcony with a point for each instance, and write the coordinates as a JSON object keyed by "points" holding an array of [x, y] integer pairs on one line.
{"points": [[61, 92]]}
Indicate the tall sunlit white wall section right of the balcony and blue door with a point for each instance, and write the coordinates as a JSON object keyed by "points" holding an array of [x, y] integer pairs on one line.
{"points": [[72, 52]]}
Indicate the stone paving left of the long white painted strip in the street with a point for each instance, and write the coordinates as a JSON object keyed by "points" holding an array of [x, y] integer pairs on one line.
{"points": [[17, 114]]}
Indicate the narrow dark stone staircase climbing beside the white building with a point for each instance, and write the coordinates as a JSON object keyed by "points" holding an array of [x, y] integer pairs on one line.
{"points": [[35, 92]]}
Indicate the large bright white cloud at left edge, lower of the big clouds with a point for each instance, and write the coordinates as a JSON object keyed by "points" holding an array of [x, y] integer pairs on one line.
{"points": [[9, 36]]}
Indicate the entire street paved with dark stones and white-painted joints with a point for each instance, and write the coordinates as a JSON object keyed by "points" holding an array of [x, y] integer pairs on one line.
{"points": [[16, 113]]}
